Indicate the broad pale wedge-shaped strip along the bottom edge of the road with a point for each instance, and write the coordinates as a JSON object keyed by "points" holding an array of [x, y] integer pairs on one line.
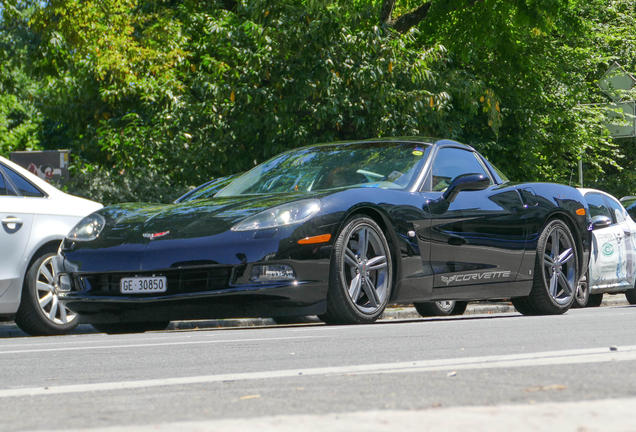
{"points": [[616, 415]]}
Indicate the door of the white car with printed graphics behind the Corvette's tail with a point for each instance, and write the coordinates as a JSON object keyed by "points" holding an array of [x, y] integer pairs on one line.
{"points": [[609, 255]]}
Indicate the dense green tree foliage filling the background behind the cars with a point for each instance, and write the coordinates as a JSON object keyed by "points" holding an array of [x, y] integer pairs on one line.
{"points": [[153, 96]]}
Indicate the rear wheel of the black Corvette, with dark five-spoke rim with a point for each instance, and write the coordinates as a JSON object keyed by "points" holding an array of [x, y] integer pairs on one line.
{"points": [[556, 273]]}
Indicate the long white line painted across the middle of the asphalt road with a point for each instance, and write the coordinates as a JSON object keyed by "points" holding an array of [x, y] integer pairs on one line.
{"points": [[594, 355]]}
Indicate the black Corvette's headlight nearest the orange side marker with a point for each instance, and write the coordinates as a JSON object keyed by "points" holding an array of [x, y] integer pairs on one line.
{"points": [[286, 214]]}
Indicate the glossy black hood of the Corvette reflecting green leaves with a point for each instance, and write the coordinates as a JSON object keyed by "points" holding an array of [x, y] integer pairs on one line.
{"points": [[187, 220]]}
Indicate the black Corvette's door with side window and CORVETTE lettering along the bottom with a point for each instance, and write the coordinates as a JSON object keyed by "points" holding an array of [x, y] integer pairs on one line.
{"points": [[480, 238]]}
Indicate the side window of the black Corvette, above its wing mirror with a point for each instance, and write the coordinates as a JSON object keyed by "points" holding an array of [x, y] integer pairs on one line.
{"points": [[450, 163]]}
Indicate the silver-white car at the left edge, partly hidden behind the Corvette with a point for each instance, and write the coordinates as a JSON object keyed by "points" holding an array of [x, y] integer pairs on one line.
{"points": [[35, 218]]}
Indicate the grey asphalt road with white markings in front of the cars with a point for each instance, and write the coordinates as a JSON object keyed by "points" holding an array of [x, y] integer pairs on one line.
{"points": [[476, 372]]}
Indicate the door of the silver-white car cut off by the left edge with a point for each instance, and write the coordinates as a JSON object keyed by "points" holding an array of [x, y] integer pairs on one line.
{"points": [[16, 218]]}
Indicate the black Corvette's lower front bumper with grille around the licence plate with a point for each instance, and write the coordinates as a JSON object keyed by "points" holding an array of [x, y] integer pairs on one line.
{"points": [[204, 292]]}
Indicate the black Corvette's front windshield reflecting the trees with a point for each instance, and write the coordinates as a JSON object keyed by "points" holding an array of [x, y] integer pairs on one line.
{"points": [[368, 164]]}
